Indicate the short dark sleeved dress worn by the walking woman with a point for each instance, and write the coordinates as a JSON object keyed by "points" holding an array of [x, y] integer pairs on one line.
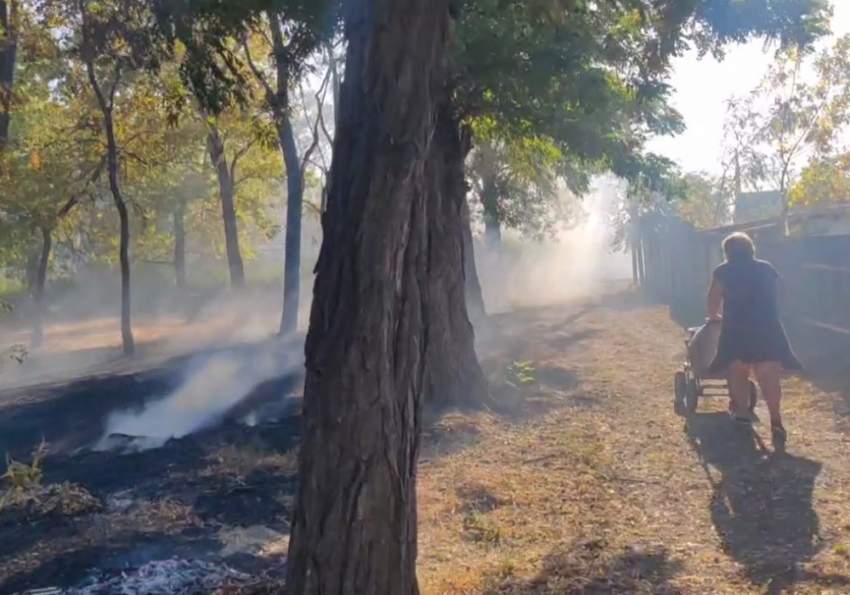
{"points": [[751, 330]]}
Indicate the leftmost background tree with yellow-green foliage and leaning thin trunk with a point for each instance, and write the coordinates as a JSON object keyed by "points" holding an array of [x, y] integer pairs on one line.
{"points": [[52, 159]]}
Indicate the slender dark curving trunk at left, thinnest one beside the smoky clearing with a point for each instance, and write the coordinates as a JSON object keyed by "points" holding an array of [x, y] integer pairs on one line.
{"points": [[124, 233]]}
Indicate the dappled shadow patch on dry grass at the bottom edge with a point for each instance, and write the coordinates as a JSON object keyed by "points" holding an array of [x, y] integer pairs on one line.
{"points": [[591, 568]]}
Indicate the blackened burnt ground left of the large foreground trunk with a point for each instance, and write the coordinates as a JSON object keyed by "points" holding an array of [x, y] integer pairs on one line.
{"points": [[109, 511]]}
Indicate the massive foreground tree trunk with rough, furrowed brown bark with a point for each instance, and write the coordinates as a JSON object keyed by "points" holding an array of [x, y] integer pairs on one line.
{"points": [[354, 526]]}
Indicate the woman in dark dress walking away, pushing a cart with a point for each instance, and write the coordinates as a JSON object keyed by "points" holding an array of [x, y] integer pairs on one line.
{"points": [[752, 338]]}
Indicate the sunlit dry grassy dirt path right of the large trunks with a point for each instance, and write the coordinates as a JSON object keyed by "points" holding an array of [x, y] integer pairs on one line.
{"points": [[597, 486]]}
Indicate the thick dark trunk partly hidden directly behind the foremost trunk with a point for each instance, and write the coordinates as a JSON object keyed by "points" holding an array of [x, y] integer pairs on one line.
{"points": [[455, 378]]}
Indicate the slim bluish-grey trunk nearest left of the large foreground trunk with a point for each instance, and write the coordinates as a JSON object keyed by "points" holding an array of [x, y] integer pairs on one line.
{"points": [[294, 183]]}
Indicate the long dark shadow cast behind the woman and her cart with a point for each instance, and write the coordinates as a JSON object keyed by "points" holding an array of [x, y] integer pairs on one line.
{"points": [[761, 505]]}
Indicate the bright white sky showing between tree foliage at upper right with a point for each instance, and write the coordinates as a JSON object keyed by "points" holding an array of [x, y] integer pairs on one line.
{"points": [[701, 88]]}
